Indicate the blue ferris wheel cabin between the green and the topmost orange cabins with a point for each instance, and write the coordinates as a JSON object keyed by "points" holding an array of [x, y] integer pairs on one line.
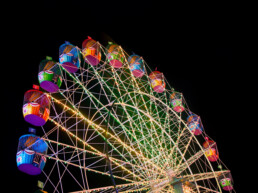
{"points": [[69, 57]]}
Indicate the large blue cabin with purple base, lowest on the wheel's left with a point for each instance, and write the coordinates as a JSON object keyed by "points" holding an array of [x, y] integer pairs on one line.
{"points": [[30, 157]]}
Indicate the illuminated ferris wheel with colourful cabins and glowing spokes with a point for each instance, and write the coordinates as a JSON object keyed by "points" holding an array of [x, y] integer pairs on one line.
{"points": [[111, 124]]}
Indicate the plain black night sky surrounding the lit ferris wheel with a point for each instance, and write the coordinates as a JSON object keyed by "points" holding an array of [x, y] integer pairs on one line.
{"points": [[201, 49]]}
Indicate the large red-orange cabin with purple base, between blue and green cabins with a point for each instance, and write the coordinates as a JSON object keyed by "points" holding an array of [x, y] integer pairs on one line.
{"points": [[36, 107]]}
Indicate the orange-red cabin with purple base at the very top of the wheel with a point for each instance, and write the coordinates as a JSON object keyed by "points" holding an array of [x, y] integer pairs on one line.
{"points": [[91, 51]]}
